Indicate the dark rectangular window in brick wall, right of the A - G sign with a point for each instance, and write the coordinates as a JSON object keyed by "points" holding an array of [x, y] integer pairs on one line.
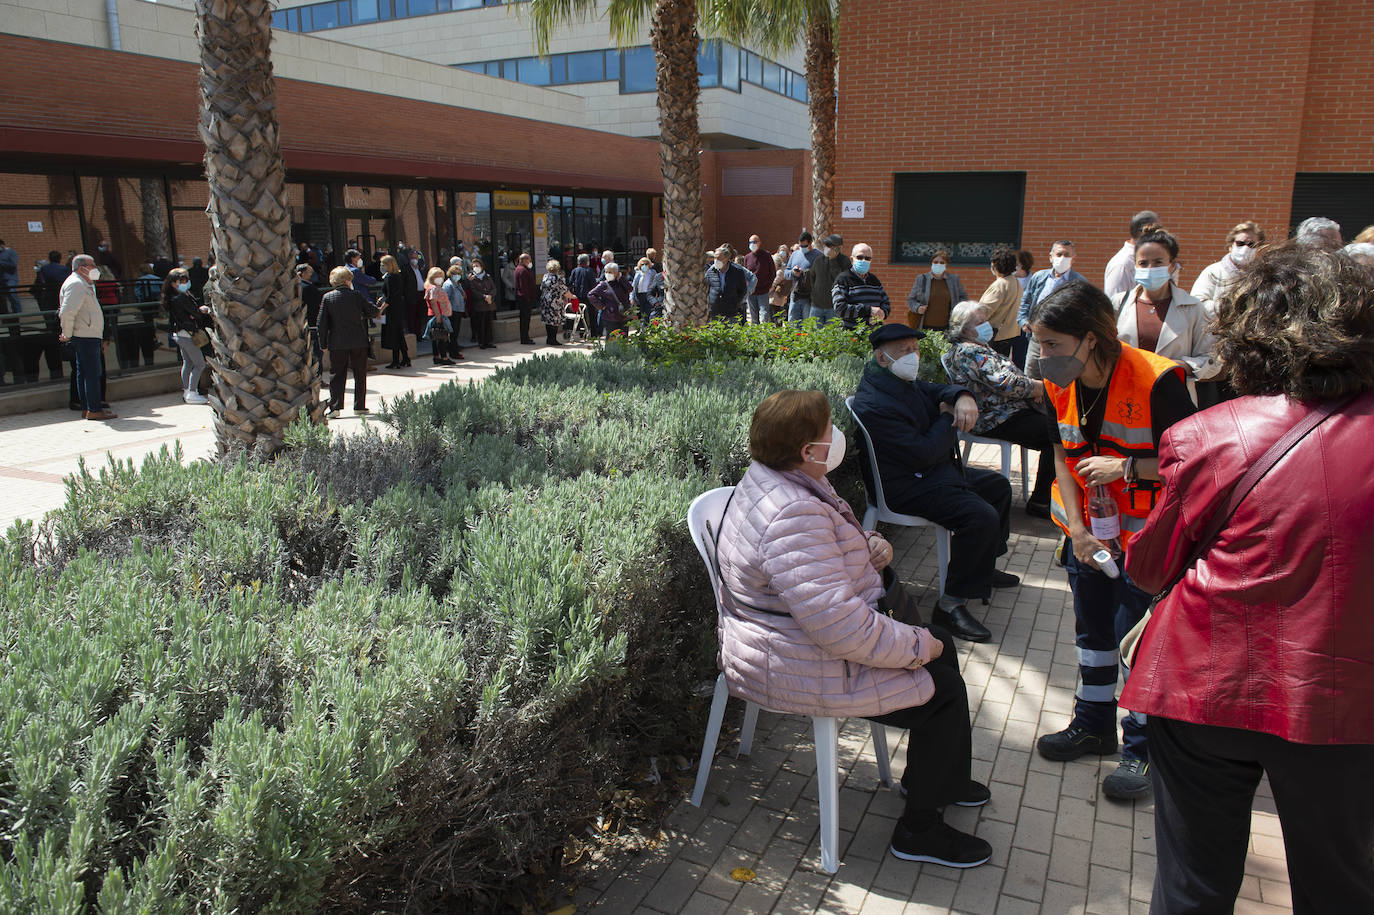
{"points": [[968, 214]]}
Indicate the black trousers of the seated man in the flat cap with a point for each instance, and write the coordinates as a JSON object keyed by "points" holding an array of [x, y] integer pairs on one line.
{"points": [[979, 520]]}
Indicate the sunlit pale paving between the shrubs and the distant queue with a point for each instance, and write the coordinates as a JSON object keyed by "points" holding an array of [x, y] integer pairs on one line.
{"points": [[39, 450]]}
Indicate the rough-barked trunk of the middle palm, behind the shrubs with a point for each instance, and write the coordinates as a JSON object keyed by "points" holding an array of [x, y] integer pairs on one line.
{"points": [[674, 34]]}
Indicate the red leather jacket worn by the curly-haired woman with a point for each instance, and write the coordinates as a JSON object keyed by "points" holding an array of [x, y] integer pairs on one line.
{"points": [[1273, 630]]}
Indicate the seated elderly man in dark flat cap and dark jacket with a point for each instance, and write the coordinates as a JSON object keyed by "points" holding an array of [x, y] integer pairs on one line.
{"points": [[914, 428]]}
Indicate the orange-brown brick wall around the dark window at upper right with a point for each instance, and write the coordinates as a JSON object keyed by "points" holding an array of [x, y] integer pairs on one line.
{"points": [[1197, 109]]}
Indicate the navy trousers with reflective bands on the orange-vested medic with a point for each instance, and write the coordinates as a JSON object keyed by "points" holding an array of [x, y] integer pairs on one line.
{"points": [[1104, 611]]}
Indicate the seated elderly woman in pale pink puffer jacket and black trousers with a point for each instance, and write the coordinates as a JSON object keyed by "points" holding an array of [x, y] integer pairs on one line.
{"points": [[800, 631]]}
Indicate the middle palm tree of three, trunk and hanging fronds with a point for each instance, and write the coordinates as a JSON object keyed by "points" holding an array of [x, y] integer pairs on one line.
{"points": [[675, 42]]}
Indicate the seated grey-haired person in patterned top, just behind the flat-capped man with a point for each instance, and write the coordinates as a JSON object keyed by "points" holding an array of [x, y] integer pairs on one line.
{"points": [[1011, 405]]}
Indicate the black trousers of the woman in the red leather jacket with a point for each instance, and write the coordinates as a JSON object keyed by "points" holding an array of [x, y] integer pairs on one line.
{"points": [[1204, 787]]}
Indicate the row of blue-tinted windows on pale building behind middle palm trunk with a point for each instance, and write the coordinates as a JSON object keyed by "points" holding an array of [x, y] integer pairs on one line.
{"points": [[721, 65]]}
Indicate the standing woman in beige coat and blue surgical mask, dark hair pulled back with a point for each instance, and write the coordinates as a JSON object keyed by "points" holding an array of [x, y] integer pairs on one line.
{"points": [[1156, 315]]}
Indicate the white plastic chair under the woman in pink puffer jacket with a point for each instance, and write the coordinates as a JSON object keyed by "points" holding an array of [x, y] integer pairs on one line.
{"points": [[704, 520]]}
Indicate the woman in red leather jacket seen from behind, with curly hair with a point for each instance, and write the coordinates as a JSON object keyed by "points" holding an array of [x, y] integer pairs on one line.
{"points": [[1262, 659]]}
